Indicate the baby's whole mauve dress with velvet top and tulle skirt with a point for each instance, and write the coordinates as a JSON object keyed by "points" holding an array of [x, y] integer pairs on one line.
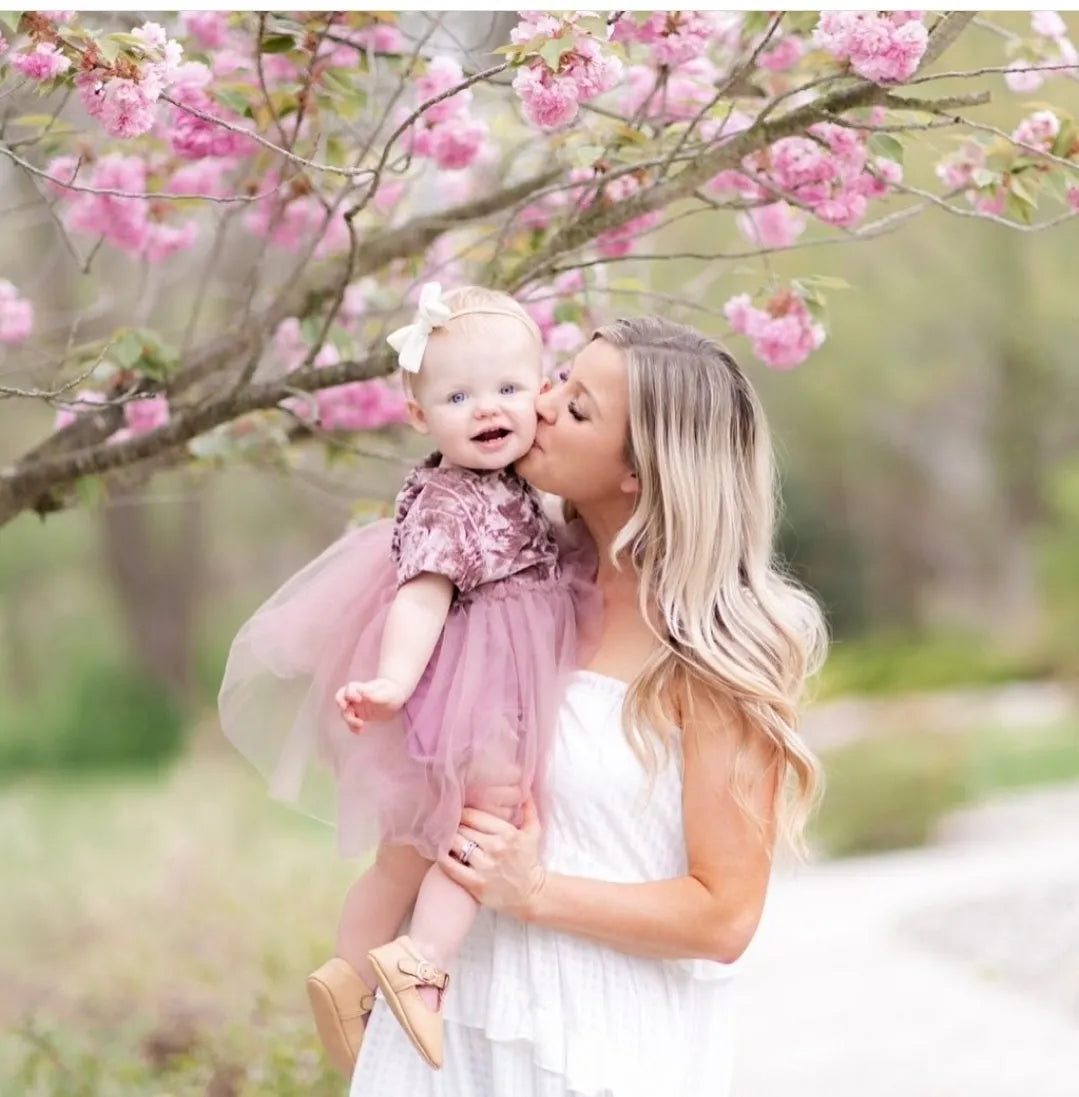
{"points": [[490, 697]]}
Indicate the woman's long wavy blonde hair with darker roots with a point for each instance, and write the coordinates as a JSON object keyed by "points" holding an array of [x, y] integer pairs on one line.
{"points": [[734, 630]]}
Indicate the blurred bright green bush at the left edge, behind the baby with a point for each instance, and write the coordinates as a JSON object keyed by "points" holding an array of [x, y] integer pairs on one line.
{"points": [[101, 716]]}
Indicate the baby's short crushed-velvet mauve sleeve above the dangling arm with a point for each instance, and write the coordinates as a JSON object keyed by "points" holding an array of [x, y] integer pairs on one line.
{"points": [[438, 535]]}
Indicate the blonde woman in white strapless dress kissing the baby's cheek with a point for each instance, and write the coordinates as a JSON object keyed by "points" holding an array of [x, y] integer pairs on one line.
{"points": [[603, 964]]}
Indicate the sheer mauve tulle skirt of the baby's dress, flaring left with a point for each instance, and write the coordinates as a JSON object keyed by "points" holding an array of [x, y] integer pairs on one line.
{"points": [[484, 711]]}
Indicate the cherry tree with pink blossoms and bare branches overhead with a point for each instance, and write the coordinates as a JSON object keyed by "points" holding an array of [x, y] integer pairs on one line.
{"points": [[349, 157]]}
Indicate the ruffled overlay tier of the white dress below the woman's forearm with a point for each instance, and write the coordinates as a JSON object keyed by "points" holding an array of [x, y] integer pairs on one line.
{"points": [[610, 1025]]}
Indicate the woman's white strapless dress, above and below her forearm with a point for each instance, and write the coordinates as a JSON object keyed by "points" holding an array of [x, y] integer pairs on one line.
{"points": [[535, 1013]]}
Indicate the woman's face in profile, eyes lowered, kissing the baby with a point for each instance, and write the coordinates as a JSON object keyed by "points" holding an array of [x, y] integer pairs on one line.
{"points": [[580, 453]]}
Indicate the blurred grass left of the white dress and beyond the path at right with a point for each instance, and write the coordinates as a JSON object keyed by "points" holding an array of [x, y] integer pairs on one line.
{"points": [[157, 930]]}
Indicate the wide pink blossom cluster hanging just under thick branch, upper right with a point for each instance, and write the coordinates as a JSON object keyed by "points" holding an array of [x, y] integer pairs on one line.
{"points": [[830, 172]]}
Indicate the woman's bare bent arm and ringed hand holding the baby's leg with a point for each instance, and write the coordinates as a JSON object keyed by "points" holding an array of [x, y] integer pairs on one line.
{"points": [[711, 913]]}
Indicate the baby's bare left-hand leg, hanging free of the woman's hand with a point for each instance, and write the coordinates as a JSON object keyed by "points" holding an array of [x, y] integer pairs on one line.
{"points": [[377, 906]]}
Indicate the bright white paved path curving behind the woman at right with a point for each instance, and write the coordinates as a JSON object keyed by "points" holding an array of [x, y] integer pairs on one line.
{"points": [[845, 996]]}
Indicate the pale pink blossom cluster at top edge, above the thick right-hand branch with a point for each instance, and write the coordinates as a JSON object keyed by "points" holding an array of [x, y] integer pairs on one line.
{"points": [[885, 48]]}
